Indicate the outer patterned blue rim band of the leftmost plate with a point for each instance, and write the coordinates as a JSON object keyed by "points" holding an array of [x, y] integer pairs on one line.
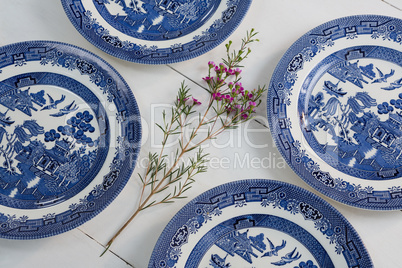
{"points": [[108, 80]]}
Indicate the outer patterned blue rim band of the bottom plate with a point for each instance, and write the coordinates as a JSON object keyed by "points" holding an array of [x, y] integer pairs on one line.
{"points": [[269, 194]]}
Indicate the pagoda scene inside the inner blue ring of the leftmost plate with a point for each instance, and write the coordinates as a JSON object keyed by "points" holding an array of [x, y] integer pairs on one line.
{"points": [[40, 164]]}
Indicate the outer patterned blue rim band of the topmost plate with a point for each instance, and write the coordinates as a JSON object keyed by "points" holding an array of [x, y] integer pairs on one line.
{"points": [[100, 37]]}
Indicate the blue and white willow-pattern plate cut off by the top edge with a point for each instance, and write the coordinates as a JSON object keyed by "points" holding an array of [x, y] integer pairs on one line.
{"points": [[156, 31]]}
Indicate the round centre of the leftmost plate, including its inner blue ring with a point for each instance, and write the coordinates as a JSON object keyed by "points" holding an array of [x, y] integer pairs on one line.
{"points": [[51, 139]]}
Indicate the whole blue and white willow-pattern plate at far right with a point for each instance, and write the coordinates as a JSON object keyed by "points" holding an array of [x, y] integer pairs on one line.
{"points": [[335, 110]]}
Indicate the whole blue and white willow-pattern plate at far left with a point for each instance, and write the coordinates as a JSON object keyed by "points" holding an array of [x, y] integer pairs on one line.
{"points": [[69, 137]]}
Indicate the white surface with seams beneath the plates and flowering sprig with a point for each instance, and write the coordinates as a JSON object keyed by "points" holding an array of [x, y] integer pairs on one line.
{"points": [[279, 24]]}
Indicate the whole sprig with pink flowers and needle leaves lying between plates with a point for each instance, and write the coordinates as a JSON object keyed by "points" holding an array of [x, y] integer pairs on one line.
{"points": [[229, 105]]}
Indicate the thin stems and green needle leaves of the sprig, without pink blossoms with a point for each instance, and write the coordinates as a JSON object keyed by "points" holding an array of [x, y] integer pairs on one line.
{"points": [[181, 176]]}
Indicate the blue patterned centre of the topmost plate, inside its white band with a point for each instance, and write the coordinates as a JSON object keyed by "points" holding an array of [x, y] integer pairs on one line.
{"points": [[198, 11]]}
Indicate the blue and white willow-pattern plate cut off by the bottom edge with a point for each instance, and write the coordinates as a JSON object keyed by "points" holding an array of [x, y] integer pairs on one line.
{"points": [[259, 223]]}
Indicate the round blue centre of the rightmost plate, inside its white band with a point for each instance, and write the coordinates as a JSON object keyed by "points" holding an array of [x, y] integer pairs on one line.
{"points": [[350, 107]]}
